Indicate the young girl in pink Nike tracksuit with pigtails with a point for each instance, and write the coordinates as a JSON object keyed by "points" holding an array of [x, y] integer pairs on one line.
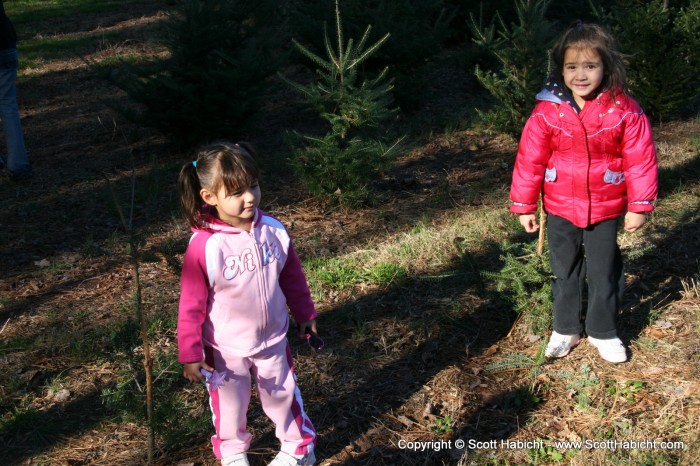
{"points": [[240, 275]]}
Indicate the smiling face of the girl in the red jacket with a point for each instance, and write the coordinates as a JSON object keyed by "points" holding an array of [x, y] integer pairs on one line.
{"points": [[583, 73]]}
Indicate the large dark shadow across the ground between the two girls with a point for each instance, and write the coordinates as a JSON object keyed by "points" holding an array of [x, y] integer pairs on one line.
{"points": [[371, 372]]}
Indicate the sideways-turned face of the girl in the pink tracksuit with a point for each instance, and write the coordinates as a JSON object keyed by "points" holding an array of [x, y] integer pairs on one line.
{"points": [[237, 209]]}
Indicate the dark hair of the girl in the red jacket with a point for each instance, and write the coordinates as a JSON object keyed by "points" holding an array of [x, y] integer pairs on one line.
{"points": [[589, 35]]}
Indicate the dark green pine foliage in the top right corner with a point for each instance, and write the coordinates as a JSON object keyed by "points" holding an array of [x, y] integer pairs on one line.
{"points": [[662, 46]]}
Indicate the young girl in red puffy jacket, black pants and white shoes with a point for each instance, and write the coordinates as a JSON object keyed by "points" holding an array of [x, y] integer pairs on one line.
{"points": [[588, 148]]}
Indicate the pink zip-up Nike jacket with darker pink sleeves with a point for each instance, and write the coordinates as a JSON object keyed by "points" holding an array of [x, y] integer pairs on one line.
{"points": [[236, 287]]}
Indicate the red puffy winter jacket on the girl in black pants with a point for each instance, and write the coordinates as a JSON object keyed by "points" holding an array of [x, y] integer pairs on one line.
{"points": [[594, 165]]}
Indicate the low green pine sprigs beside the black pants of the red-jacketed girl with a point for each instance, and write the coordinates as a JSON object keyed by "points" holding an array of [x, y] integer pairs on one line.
{"points": [[525, 281]]}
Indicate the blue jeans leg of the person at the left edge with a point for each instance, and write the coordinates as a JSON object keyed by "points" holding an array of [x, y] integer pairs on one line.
{"points": [[17, 159]]}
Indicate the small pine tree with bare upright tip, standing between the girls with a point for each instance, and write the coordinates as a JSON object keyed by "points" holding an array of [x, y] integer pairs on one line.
{"points": [[340, 164]]}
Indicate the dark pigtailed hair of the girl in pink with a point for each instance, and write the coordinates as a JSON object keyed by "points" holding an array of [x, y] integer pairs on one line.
{"points": [[215, 165]]}
